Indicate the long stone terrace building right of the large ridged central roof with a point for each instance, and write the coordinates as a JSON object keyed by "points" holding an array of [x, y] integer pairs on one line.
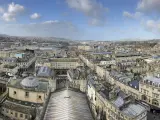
{"points": [[110, 103]]}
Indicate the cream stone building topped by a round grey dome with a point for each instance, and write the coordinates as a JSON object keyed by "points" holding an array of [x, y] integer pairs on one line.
{"points": [[25, 97]]}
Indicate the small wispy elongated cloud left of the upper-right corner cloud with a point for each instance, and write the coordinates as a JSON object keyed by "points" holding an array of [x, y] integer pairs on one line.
{"points": [[135, 15]]}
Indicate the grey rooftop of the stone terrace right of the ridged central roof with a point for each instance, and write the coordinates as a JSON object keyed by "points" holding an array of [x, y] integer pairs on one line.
{"points": [[119, 99]]}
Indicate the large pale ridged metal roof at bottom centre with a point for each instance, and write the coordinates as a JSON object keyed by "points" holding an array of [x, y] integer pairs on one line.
{"points": [[68, 105]]}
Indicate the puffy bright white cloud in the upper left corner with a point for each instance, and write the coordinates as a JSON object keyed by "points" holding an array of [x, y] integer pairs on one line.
{"points": [[13, 11]]}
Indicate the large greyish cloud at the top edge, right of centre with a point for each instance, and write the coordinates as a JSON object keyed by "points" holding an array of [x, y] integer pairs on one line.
{"points": [[91, 8]]}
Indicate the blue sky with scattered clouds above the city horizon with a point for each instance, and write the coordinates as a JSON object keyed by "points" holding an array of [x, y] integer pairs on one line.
{"points": [[81, 19]]}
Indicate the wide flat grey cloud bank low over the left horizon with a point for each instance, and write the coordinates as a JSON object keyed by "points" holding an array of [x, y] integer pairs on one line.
{"points": [[53, 28]]}
